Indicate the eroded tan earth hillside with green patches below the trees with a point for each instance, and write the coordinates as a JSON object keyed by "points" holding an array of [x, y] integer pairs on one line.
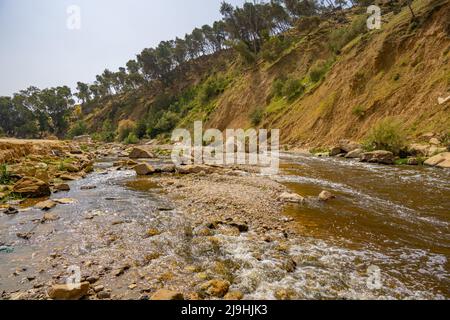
{"points": [[400, 70]]}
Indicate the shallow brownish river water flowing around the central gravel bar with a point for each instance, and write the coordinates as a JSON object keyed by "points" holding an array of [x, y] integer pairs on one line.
{"points": [[385, 236]]}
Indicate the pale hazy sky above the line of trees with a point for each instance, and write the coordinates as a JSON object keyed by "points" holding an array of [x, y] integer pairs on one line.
{"points": [[37, 48]]}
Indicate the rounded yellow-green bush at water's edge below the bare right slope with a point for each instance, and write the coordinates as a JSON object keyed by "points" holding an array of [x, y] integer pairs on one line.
{"points": [[387, 134]]}
